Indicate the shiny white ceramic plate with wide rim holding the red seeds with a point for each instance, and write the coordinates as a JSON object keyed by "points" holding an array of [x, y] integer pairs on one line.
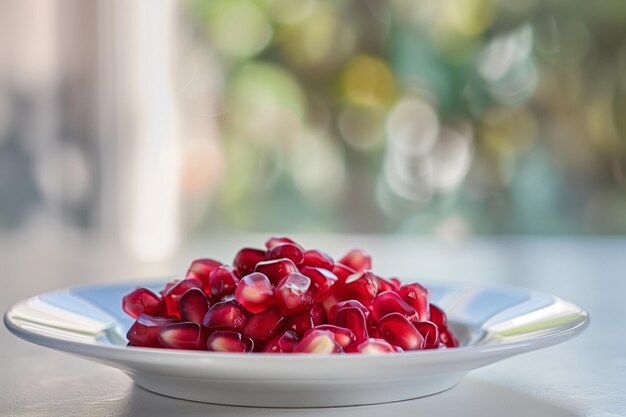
{"points": [[492, 322]]}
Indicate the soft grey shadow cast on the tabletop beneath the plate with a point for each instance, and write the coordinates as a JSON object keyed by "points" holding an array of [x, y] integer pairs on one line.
{"points": [[471, 397]]}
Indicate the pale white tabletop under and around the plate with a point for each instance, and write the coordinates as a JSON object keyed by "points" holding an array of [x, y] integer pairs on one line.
{"points": [[585, 376]]}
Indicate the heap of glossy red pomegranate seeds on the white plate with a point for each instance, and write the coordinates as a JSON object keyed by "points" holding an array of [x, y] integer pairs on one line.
{"points": [[287, 299]]}
